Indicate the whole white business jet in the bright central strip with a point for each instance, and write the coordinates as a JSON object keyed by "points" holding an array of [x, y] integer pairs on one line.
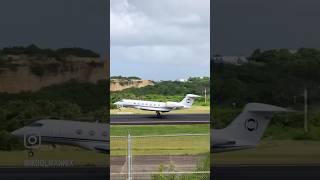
{"points": [[158, 106]]}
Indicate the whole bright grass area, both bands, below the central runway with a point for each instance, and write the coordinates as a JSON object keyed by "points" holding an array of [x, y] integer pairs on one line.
{"points": [[183, 145]]}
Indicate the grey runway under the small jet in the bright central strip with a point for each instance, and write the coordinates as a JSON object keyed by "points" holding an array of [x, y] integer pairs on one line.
{"points": [[150, 119]]}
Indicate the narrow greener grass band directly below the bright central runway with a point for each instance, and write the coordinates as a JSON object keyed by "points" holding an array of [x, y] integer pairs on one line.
{"points": [[138, 130]]}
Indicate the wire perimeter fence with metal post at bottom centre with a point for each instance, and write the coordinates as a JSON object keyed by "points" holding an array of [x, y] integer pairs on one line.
{"points": [[160, 157]]}
